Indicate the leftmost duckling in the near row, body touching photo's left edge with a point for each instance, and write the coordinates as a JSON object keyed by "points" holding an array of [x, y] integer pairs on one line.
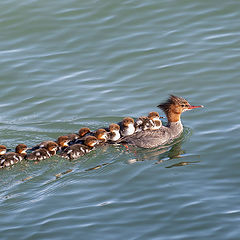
{"points": [[11, 158]]}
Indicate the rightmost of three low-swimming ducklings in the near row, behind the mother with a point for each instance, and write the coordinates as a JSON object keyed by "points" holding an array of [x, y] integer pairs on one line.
{"points": [[77, 150]]}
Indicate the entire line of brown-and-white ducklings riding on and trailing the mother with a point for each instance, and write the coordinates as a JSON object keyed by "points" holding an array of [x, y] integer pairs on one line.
{"points": [[75, 145]]}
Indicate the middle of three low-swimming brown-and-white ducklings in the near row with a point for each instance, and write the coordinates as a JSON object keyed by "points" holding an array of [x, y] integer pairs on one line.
{"points": [[43, 153]]}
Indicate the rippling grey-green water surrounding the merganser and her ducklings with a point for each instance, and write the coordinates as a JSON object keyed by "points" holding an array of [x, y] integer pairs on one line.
{"points": [[64, 65]]}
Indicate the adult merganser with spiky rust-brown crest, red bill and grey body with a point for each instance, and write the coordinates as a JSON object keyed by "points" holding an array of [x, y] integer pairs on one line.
{"points": [[173, 108]]}
